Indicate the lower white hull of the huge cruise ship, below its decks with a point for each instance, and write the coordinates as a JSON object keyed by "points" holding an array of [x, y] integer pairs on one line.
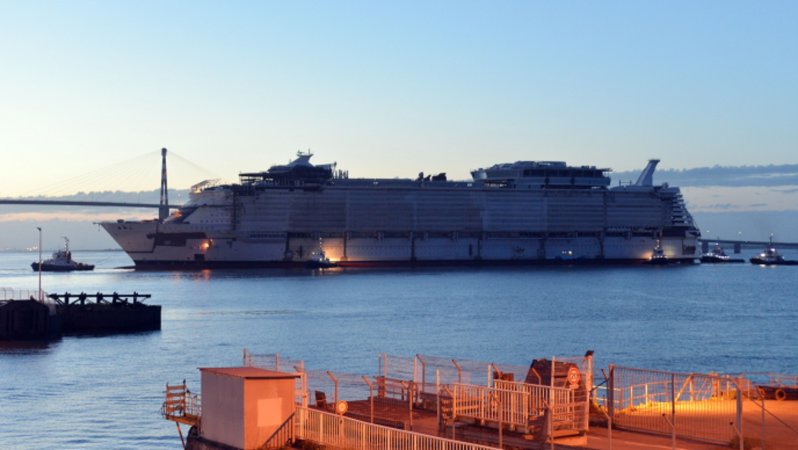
{"points": [[396, 251]]}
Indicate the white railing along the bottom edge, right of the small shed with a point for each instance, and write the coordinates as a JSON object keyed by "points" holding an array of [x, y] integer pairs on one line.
{"points": [[329, 429]]}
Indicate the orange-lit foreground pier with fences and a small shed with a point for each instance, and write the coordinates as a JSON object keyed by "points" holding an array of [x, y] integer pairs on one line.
{"points": [[427, 402]]}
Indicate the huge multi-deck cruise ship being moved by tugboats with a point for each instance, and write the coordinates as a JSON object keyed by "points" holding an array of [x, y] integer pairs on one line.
{"points": [[526, 212]]}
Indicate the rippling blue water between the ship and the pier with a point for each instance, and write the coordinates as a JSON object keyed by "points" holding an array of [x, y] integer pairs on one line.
{"points": [[105, 391]]}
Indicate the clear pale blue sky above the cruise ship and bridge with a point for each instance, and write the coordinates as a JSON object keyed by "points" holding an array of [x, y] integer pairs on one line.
{"points": [[393, 88]]}
